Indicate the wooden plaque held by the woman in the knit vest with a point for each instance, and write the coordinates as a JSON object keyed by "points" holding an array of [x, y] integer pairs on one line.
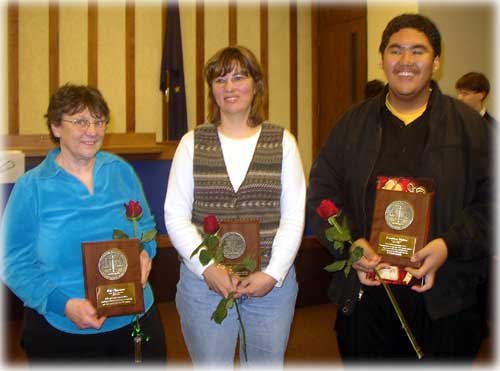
{"points": [[239, 240]]}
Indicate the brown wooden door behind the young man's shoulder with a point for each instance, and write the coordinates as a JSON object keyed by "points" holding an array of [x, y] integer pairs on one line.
{"points": [[341, 65]]}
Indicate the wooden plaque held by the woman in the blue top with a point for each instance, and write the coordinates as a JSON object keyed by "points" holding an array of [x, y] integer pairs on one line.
{"points": [[112, 275]]}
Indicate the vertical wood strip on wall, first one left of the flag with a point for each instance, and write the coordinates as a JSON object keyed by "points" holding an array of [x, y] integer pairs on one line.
{"points": [[130, 65]]}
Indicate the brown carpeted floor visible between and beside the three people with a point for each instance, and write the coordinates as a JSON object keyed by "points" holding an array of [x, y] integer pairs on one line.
{"points": [[312, 340]]}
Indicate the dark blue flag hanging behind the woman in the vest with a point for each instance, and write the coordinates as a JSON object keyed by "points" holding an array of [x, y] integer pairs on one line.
{"points": [[172, 73]]}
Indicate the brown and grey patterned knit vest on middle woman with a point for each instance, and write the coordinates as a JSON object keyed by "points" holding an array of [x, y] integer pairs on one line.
{"points": [[258, 196]]}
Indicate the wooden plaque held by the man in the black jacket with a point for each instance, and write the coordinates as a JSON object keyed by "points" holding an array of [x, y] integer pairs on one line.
{"points": [[400, 227]]}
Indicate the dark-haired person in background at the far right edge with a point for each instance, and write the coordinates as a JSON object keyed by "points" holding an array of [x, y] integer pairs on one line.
{"points": [[473, 89]]}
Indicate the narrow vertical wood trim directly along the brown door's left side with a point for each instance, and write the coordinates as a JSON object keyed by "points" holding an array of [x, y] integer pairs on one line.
{"points": [[314, 88]]}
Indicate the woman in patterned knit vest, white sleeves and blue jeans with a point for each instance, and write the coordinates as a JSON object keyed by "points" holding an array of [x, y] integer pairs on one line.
{"points": [[237, 166]]}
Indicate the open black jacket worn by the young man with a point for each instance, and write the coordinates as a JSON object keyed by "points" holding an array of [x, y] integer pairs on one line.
{"points": [[456, 156]]}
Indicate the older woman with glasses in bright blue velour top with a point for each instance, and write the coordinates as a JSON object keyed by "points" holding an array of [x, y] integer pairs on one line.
{"points": [[76, 194]]}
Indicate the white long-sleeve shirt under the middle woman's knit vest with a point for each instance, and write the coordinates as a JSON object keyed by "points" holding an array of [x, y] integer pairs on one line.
{"points": [[238, 154]]}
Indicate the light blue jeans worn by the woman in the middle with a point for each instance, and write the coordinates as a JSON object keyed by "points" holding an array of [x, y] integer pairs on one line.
{"points": [[267, 322]]}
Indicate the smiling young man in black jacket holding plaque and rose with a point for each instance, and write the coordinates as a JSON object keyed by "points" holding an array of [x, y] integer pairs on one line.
{"points": [[410, 130]]}
